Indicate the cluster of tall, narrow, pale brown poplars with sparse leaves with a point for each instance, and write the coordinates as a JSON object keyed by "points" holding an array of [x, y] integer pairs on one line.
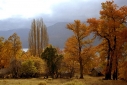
{"points": [[38, 37]]}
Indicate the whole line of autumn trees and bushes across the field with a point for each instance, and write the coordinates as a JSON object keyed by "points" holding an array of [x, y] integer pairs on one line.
{"points": [[79, 54]]}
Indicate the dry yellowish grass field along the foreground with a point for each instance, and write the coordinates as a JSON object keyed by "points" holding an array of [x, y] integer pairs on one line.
{"points": [[40, 81]]}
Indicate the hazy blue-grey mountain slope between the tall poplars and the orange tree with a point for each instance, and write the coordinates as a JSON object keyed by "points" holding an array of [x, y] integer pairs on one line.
{"points": [[58, 34]]}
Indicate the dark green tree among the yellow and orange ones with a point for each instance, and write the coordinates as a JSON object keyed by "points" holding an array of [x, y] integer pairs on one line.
{"points": [[53, 59]]}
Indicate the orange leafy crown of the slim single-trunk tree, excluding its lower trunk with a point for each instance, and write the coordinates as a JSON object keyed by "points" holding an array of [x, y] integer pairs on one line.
{"points": [[75, 43]]}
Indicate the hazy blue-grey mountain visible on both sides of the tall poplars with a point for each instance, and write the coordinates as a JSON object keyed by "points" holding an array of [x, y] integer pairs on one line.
{"points": [[58, 34]]}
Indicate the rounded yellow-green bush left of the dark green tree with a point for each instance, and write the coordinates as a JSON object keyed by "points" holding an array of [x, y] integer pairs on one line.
{"points": [[28, 69]]}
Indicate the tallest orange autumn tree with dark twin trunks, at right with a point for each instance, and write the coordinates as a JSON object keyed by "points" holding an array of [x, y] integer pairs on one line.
{"points": [[109, 25]]}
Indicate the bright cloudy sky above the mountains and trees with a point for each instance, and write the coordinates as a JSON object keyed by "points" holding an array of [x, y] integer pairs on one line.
{"points": [[20, 13]]}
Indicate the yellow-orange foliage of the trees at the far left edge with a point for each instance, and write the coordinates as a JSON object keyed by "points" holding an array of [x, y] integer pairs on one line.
{"points": [[10, 48]]}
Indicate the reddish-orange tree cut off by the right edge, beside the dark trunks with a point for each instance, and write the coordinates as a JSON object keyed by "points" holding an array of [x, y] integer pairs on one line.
{"points": [[123, 60]]}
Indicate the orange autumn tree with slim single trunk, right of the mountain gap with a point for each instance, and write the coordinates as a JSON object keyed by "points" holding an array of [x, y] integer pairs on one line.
{"points": [[76, 43]]}
